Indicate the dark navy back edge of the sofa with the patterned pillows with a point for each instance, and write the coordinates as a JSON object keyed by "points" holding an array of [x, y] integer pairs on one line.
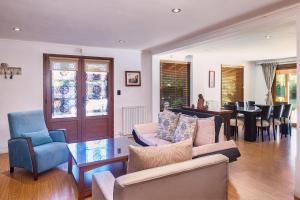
{"points": [[199, 114]]}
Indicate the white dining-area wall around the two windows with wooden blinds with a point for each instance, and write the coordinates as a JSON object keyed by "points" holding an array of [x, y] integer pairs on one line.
{"points": [[201, 65]]}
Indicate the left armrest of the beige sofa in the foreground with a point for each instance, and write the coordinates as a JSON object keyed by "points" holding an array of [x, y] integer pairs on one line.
{"points": [[103, 186]]}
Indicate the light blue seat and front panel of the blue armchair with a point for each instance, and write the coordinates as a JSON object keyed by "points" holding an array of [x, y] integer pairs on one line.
{"points": [[50, 155]]}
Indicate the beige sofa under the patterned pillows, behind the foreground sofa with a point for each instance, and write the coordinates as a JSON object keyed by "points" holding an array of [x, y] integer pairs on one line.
{"points": [[145, 135]]}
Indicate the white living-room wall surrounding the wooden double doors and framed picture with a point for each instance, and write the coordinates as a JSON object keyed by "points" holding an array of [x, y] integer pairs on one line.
{"points": [[25, 92]]}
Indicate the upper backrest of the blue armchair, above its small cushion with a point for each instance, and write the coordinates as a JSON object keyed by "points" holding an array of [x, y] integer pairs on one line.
{"points": [[26, 122]]}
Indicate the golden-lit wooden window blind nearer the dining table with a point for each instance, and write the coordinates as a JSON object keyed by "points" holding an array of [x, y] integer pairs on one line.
{"points": [[232, 89]]}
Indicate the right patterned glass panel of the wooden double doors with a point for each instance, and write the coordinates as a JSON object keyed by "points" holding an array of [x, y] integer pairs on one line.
{"points": [[96, 99]]}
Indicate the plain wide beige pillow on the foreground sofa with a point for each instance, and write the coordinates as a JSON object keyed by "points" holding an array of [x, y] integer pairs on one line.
{"points": [[141, 158]]}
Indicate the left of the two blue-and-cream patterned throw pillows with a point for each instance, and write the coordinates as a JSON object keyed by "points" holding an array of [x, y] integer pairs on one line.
{"points": [[167, 122]]}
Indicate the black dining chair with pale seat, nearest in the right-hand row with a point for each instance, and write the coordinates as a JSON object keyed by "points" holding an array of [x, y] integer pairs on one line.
{"points": [[263, 121]]}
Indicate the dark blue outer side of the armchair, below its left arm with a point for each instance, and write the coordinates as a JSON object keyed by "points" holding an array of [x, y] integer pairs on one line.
{"points": [[21, 153]]}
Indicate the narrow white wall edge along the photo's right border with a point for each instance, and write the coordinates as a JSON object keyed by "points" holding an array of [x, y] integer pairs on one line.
{"points": [[297, 164]]}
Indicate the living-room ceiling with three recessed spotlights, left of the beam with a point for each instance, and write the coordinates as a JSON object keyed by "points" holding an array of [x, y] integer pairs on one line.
{"points": [[140, 23]]}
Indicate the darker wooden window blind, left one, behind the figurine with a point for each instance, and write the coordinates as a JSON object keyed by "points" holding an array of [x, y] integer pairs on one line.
{"points": [[174, 84]]}
